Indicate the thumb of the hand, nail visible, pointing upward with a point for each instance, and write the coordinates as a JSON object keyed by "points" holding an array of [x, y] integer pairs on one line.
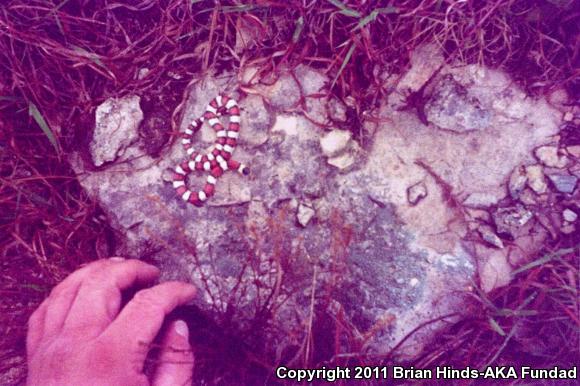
{"points": [[176, 358]]}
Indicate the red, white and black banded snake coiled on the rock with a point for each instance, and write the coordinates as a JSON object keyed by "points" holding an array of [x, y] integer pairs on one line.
{"points": [[218, 159]]}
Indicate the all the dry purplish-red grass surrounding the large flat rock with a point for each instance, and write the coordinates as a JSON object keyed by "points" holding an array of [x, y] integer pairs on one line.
{"points": [[60, 59]]}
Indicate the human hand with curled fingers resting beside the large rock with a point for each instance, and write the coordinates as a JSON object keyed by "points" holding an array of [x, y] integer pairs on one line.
{"points": [[80, 335]]}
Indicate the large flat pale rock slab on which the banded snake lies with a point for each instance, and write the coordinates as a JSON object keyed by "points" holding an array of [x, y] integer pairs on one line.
{"points": [[368, 246]]}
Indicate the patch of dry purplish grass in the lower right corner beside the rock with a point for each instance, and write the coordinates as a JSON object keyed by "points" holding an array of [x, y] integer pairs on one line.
{"points": [[535, 321]]}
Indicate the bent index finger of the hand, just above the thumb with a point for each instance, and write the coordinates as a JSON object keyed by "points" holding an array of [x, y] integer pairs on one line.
{"points": [[139, 322]]}
